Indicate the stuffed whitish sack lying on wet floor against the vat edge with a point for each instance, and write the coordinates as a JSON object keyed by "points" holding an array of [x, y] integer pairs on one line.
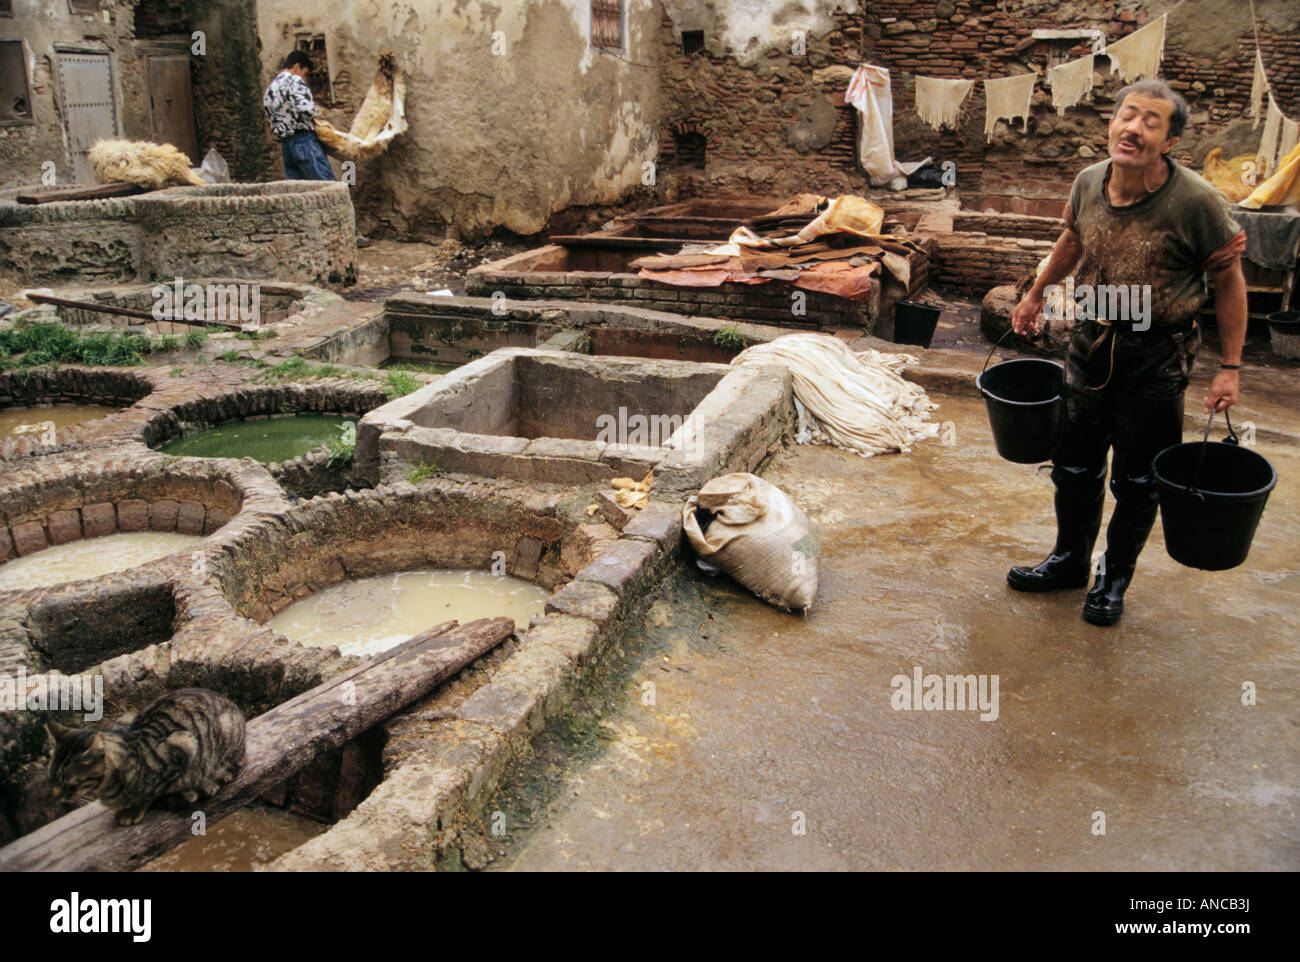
{"points": [[759, 535]]}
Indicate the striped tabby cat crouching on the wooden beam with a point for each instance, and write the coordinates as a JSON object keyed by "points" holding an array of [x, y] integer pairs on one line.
{"points": [[189, 743]]}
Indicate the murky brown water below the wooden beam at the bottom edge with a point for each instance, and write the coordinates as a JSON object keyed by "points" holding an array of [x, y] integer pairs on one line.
{"points": [[242, 843]]}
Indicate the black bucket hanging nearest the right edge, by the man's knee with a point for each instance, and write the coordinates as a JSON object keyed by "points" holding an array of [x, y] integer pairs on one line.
{"points": [[1212, 496]]}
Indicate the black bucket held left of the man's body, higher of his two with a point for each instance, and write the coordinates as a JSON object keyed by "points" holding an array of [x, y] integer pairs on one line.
{"points": [[1026, 408]]}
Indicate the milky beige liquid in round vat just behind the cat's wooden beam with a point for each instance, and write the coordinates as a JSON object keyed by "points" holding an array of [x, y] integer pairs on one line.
{"points": [[371, 616]]}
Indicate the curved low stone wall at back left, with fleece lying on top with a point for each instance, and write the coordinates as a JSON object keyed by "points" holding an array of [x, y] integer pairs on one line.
{"points": [[300, 231]]}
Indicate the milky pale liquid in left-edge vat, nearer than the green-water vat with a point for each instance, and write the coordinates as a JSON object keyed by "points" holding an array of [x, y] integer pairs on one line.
{"points": [[92, 558]]}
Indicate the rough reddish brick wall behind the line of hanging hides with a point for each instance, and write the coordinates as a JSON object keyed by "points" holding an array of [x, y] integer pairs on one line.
{"points": [[773, 122]]}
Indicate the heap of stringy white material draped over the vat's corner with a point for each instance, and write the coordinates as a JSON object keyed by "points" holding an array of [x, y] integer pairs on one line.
{"points": [[857, 402]]}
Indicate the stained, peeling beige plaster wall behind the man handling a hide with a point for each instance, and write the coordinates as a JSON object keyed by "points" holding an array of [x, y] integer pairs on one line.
{"points": [[514, 116]]}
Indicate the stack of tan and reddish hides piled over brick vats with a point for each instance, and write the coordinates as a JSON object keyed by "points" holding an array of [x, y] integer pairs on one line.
{"points": [[837, 249]]}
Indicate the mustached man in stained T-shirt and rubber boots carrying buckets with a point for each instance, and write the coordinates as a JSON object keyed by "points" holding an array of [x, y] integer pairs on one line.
{"points": [[1141, 235]]}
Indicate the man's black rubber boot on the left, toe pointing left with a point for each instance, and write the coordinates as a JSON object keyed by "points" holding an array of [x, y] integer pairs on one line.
{"points": [[1078, 508]]}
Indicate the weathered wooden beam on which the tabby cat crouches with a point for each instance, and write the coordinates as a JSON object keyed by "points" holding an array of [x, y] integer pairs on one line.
{"points": [[278, 746]]}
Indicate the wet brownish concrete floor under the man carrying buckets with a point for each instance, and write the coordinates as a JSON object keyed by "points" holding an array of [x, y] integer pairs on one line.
{"points": [[772, 742]]}
